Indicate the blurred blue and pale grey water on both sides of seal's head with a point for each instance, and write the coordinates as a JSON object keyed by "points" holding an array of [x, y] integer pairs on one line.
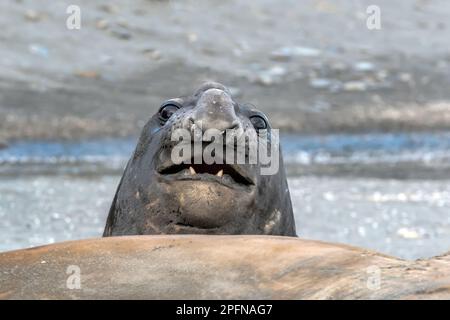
{"points": [[51, 191]]}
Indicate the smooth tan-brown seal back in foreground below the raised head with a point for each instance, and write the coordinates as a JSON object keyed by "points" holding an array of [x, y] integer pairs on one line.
{"points": [[216, 267]]}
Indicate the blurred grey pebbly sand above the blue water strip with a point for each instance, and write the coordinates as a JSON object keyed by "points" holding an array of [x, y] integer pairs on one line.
{"points": [[311, 66]]}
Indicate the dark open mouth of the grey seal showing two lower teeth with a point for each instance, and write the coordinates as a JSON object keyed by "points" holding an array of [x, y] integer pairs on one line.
{"points": [[223, 173]]}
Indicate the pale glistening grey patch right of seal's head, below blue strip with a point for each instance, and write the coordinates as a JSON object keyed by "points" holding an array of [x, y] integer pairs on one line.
{"points": [[405, 218]]}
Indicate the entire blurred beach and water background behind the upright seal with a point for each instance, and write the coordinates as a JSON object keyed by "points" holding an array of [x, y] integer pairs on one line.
{"points": [[364, 114]]}
